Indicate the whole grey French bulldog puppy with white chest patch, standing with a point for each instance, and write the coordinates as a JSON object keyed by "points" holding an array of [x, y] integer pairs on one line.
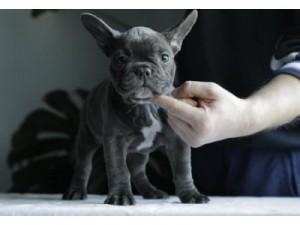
{"points": [[119, 116]]}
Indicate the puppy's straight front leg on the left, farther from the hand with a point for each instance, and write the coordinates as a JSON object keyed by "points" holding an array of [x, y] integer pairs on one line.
{"points": [[119, 187]]}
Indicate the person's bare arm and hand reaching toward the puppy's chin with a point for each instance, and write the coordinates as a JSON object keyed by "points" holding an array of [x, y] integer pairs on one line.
{"points": [[204, 112]]}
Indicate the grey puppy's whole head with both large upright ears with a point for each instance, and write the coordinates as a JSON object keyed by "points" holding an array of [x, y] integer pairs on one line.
{"points": [[142, 60]]}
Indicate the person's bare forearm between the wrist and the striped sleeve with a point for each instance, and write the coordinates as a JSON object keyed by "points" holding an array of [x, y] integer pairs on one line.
{"points": [[275, 104]]}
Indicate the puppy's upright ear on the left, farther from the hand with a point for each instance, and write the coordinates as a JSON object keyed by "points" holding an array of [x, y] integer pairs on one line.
{"points": [[104, 34]]}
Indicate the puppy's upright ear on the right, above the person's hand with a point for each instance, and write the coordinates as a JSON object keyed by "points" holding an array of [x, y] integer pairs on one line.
{"points": [[176, 34]]}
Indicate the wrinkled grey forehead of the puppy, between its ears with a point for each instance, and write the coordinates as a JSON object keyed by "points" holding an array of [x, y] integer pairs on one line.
{"points": [[142, 41]]}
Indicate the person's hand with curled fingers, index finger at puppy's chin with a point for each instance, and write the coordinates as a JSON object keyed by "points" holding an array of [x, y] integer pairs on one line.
{"points": [[204, 112]]}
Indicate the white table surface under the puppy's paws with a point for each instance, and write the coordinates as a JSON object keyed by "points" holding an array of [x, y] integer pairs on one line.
{"points": [[33, 204]]}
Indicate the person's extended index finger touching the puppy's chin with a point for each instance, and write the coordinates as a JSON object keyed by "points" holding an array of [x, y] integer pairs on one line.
{"points": [[177, 108]]}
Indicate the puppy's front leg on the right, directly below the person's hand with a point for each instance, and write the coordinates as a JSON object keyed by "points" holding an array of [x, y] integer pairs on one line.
{"points": [[179, 155]]}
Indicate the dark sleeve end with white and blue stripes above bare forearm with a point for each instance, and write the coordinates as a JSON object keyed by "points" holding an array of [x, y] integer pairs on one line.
{"points": [[286, 58]]}
